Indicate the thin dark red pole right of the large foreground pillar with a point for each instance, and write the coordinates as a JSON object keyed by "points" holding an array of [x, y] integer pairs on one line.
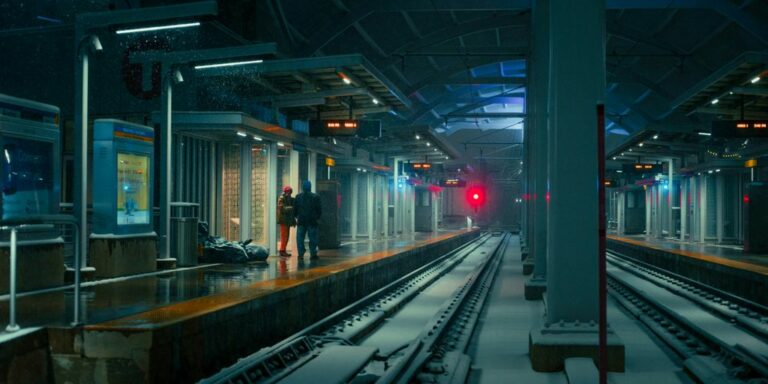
{"points": [[603, 321]]}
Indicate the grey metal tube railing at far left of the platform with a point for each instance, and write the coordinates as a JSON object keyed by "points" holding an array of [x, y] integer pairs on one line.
{"points": [[13, 225]]}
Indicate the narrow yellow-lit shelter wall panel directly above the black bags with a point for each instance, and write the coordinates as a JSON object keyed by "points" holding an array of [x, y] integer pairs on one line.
{"points": [[230, 191]]}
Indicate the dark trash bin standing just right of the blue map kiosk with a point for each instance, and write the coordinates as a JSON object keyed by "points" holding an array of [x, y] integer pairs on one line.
{"points": [[183, 234]]}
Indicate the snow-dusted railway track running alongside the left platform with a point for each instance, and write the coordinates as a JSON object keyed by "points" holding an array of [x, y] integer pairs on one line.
{"points": [[411, 328]]}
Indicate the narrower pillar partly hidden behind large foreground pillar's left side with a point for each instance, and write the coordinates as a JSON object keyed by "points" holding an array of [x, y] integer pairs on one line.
{"points": [[539, 137]]}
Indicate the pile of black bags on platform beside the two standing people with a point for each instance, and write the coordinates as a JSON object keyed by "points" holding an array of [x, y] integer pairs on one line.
{"points": [[218, 250]]}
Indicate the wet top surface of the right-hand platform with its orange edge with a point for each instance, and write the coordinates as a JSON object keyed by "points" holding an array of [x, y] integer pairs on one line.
{"points": [[726, 255]]}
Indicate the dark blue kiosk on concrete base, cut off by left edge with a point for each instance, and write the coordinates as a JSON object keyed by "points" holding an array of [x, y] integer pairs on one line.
{"points": [[30, 184]]}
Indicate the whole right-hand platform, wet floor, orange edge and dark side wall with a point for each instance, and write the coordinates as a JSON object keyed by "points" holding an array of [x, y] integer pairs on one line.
{"points": [[725, 267]]}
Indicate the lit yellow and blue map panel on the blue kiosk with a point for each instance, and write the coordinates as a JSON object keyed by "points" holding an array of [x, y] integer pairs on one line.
{"points": [[132, 189]]}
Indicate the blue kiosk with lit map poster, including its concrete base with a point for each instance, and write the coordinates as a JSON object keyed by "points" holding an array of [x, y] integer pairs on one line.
{"points": [[122, 239]]}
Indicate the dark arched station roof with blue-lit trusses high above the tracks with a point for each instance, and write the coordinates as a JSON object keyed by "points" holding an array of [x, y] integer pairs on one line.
{"points": [[460, 68]]}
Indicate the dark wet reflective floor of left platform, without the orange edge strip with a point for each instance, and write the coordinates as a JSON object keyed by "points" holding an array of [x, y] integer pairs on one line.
{"points": [[112, 300]]}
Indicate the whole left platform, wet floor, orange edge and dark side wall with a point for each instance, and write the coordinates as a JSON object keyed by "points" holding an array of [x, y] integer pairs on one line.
{"points": [[185, 324]]}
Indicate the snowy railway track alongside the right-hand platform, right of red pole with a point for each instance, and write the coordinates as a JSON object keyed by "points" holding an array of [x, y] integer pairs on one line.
{"points": [[720, 337]]}
